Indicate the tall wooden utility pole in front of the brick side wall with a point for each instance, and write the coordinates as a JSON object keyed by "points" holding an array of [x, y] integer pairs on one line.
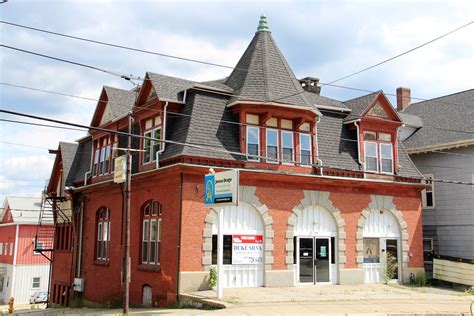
{"points": [[126, 294]]}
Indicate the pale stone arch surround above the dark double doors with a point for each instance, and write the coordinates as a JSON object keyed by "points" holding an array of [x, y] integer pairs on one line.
{"points": [[316, 198]]}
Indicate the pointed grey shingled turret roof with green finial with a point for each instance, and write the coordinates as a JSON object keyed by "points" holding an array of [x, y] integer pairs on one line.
{"points": [[262, 73]]}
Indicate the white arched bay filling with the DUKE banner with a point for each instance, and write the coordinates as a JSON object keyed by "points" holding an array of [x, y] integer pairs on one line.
{"points": [[243, 242]]}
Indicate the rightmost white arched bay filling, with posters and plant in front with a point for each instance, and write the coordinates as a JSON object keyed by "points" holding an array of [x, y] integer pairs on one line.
{"points": [[381, 247]]}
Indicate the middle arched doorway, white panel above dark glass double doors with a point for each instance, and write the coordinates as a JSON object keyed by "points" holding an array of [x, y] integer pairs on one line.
{"points": [[315, 235]]}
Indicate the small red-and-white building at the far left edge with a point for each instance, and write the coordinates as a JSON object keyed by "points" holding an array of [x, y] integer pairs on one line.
{"points": [[22, 270]]}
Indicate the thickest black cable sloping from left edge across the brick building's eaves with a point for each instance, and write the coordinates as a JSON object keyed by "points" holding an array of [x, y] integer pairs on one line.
{"points": [[205, 147]]}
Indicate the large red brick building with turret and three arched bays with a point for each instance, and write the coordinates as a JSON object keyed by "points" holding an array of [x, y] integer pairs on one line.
{"points": [[325, 186]]}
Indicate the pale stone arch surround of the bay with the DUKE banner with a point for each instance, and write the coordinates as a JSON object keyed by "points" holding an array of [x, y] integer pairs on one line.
{"points": [[247, 195]]}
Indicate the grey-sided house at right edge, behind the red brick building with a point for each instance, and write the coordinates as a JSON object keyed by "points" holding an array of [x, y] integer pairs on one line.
{"points": [[440, 140]]}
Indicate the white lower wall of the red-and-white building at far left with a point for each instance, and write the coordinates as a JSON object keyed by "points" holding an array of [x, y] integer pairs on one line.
{"points": [[24, 275]]}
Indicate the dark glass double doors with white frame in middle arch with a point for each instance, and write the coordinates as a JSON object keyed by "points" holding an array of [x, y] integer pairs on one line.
{"points": [[314, 260]]}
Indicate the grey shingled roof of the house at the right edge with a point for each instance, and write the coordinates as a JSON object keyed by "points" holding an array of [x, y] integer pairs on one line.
{"points": [[445, 119]]}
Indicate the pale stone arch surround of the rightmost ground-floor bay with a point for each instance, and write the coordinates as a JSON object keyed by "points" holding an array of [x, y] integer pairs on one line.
{"points": [[382, 203]]}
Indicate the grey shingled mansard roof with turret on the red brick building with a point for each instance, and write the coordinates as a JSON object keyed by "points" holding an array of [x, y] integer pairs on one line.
{"points": [[262, 73]]}
